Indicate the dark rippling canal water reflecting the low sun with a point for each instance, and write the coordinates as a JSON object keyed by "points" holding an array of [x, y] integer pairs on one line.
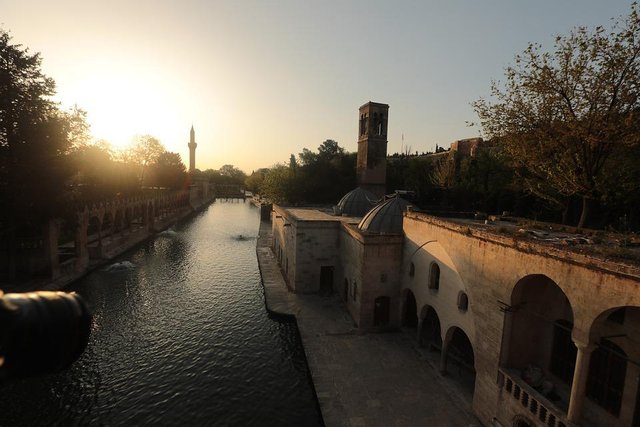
{"points": [[180, 336]]}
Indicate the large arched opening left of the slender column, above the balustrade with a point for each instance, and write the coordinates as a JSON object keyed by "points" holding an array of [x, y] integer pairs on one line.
{"points": [[540, 322]]}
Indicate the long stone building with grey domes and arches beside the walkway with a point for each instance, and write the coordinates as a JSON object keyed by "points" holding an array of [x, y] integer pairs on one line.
{"points": [[535, 334]]}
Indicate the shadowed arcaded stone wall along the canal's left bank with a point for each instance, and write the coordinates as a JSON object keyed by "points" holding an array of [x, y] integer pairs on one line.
{"points": [[101, 232]]}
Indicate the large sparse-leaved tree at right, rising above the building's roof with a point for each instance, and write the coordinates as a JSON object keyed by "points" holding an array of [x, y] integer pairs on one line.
{"points": [[562, 116]]}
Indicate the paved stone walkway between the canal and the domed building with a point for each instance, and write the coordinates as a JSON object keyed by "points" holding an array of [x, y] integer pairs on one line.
{"points": [[363, 379]]}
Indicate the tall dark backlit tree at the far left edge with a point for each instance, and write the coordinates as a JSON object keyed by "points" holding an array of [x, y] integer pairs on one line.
{"points": [[35, 140]]}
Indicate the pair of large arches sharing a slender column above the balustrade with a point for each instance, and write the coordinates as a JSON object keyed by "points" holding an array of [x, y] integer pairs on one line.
{"points": [[542, 348]]}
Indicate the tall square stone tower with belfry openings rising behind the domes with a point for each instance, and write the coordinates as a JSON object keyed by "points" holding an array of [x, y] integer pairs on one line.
{"points": [[372, 147]]}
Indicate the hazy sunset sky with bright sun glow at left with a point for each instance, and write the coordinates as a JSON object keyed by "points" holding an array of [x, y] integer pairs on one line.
{"points": [[261, 80]]}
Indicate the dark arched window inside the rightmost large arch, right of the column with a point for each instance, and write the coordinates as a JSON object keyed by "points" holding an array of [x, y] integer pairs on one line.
{"points": [[607, 371]]}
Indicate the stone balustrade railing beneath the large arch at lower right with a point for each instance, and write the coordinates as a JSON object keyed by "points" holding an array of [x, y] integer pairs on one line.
{"points": [[538, 407]]}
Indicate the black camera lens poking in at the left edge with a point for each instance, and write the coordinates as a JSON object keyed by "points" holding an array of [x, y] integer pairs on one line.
{"points": [[42, 332]]}
